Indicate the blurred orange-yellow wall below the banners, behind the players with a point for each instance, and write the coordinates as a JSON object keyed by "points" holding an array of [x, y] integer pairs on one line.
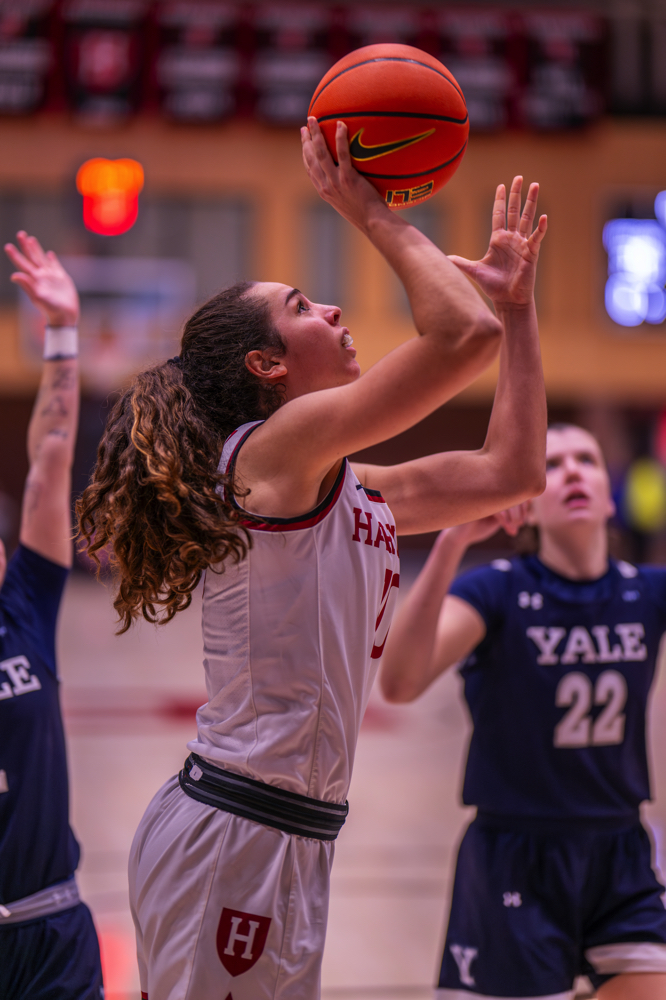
{"points": [[586, 356]]}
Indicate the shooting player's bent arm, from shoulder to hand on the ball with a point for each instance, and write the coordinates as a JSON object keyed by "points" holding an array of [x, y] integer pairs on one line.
{"points": [[459, 337]]}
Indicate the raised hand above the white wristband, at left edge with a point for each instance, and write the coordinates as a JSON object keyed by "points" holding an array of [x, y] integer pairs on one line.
{"points": [[44, 280]]}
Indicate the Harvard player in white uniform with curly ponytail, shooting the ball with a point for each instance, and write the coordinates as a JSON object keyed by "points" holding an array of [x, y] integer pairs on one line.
{"points": [[229, 870]]}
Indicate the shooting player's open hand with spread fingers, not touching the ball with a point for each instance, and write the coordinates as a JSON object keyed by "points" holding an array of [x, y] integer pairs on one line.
{"points": [[506, 273]]}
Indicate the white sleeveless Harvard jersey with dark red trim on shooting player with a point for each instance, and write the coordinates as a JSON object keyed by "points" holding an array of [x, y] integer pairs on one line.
{"points": [[292, 638]]}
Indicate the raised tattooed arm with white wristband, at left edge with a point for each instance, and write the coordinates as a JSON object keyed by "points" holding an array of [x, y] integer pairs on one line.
{"points": [[45, 514]]}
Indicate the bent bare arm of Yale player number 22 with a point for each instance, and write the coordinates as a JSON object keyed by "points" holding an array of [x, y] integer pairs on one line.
{"points": [[432, 631]]}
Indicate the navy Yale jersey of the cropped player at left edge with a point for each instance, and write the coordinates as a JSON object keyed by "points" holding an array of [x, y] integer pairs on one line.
{"points": [[37, 847]]}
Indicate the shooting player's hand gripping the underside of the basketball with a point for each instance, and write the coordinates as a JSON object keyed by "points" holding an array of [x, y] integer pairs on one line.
{"points": [[339, 184]]}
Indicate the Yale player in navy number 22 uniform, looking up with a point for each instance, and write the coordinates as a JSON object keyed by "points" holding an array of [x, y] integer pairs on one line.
{"points": [[558, 648]]}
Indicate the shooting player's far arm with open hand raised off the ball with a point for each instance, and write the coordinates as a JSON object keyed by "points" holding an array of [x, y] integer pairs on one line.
{"points": [[453, 487]]}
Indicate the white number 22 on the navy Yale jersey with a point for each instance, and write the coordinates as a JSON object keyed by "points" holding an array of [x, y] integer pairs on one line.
{"points": [[576, 728]]}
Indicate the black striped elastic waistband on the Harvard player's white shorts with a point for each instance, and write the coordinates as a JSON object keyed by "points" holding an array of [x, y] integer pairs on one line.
{"points": [[286, 811]]}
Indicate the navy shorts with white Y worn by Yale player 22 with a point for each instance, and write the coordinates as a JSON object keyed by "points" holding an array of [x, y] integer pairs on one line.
{"points": [[531, 911]]}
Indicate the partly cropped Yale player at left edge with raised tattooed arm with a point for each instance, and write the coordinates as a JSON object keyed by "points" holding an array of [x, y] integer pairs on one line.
{"points": [[48, 944]]}
